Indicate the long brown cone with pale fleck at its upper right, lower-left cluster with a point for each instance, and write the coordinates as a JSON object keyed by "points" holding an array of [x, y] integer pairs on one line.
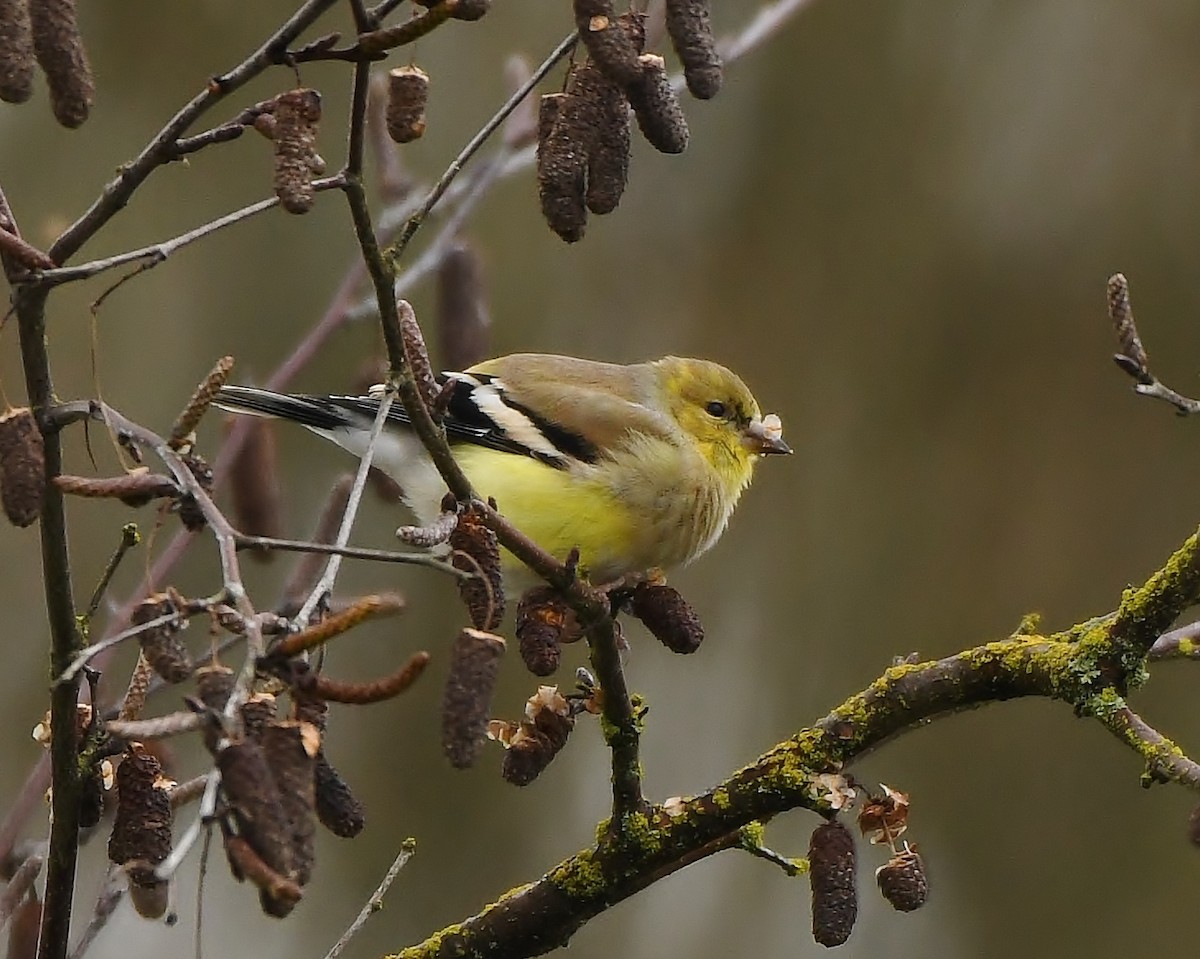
{"points": [[291, 748]]}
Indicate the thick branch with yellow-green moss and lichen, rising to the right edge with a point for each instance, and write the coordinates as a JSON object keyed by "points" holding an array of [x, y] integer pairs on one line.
{"points": [[1087, 668]]}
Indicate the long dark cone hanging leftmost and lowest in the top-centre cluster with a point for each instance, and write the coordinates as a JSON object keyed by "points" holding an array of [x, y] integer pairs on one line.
{"points": [[562, 167]]}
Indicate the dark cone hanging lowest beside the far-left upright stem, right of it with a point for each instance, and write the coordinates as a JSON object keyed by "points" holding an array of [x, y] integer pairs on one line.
{"points": [[141, 837]]}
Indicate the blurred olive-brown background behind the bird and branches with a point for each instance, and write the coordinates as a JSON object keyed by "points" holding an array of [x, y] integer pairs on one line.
{"points": [[897, 223]]}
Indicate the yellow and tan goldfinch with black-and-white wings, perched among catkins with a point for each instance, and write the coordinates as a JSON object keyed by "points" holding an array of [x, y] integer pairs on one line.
{"points": [[639, 467]]}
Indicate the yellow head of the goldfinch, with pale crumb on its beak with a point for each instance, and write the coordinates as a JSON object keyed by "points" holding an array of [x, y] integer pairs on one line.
{"points": [[719, 412]]}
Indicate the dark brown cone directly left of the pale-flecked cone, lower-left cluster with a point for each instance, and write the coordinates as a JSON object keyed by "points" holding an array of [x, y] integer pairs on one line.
{"points": [[256, 805]]}
